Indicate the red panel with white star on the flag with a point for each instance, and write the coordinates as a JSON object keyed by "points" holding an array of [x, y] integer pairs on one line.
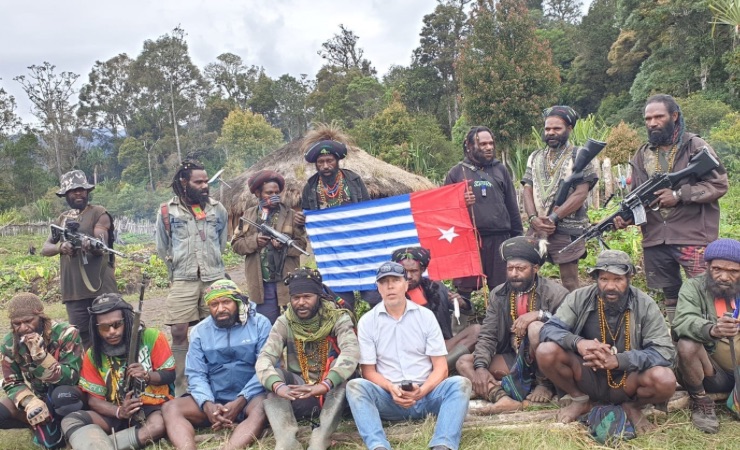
{"points": [[443, 223]]}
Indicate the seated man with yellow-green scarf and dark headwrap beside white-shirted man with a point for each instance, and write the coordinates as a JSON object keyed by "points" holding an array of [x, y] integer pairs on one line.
{"points": [[322, 354]]}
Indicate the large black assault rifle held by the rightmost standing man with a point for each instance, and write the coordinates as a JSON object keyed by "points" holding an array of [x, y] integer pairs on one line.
{"points": [[633, 206]]}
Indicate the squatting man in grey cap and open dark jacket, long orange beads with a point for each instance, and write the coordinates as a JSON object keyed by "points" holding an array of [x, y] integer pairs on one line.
{"points": [[609, 343]]}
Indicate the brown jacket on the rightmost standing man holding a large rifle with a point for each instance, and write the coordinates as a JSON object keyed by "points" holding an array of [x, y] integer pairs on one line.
{"points": [[695, 220]]}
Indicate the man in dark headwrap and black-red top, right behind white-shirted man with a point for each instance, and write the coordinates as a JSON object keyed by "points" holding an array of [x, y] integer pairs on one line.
{"points": [[435, 296]]}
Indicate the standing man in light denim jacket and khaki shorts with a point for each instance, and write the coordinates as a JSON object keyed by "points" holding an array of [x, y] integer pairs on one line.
{"points": [[191, 236]]}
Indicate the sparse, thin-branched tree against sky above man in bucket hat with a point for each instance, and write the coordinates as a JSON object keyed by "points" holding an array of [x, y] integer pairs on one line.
{"points": [[50, 94]]}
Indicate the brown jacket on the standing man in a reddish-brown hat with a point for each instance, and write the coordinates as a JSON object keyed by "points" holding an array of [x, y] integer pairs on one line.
{"points": [[245, 243]]}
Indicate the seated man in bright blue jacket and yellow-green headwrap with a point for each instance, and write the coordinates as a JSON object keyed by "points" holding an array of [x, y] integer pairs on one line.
{"points": [[222, 383]]}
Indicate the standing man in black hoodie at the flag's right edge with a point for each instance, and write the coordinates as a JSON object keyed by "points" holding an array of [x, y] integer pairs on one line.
{"points": [[492, 200]]}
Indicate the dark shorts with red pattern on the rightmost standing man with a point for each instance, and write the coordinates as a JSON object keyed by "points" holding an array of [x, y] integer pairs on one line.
{"points": [[663, 264]]}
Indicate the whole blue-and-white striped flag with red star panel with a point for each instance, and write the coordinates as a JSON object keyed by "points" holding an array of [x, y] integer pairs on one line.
{"points": [[351, 241]]}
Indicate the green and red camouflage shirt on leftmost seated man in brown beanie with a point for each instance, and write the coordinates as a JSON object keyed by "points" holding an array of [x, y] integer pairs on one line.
{"points": [[65, 346]]}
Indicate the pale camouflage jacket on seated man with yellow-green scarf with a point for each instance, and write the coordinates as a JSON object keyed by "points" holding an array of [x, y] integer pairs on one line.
{"points": [[344, 349]]}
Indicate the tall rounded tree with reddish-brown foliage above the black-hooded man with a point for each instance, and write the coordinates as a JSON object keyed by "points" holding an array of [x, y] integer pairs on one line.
{"points": [[506, 72]]}
